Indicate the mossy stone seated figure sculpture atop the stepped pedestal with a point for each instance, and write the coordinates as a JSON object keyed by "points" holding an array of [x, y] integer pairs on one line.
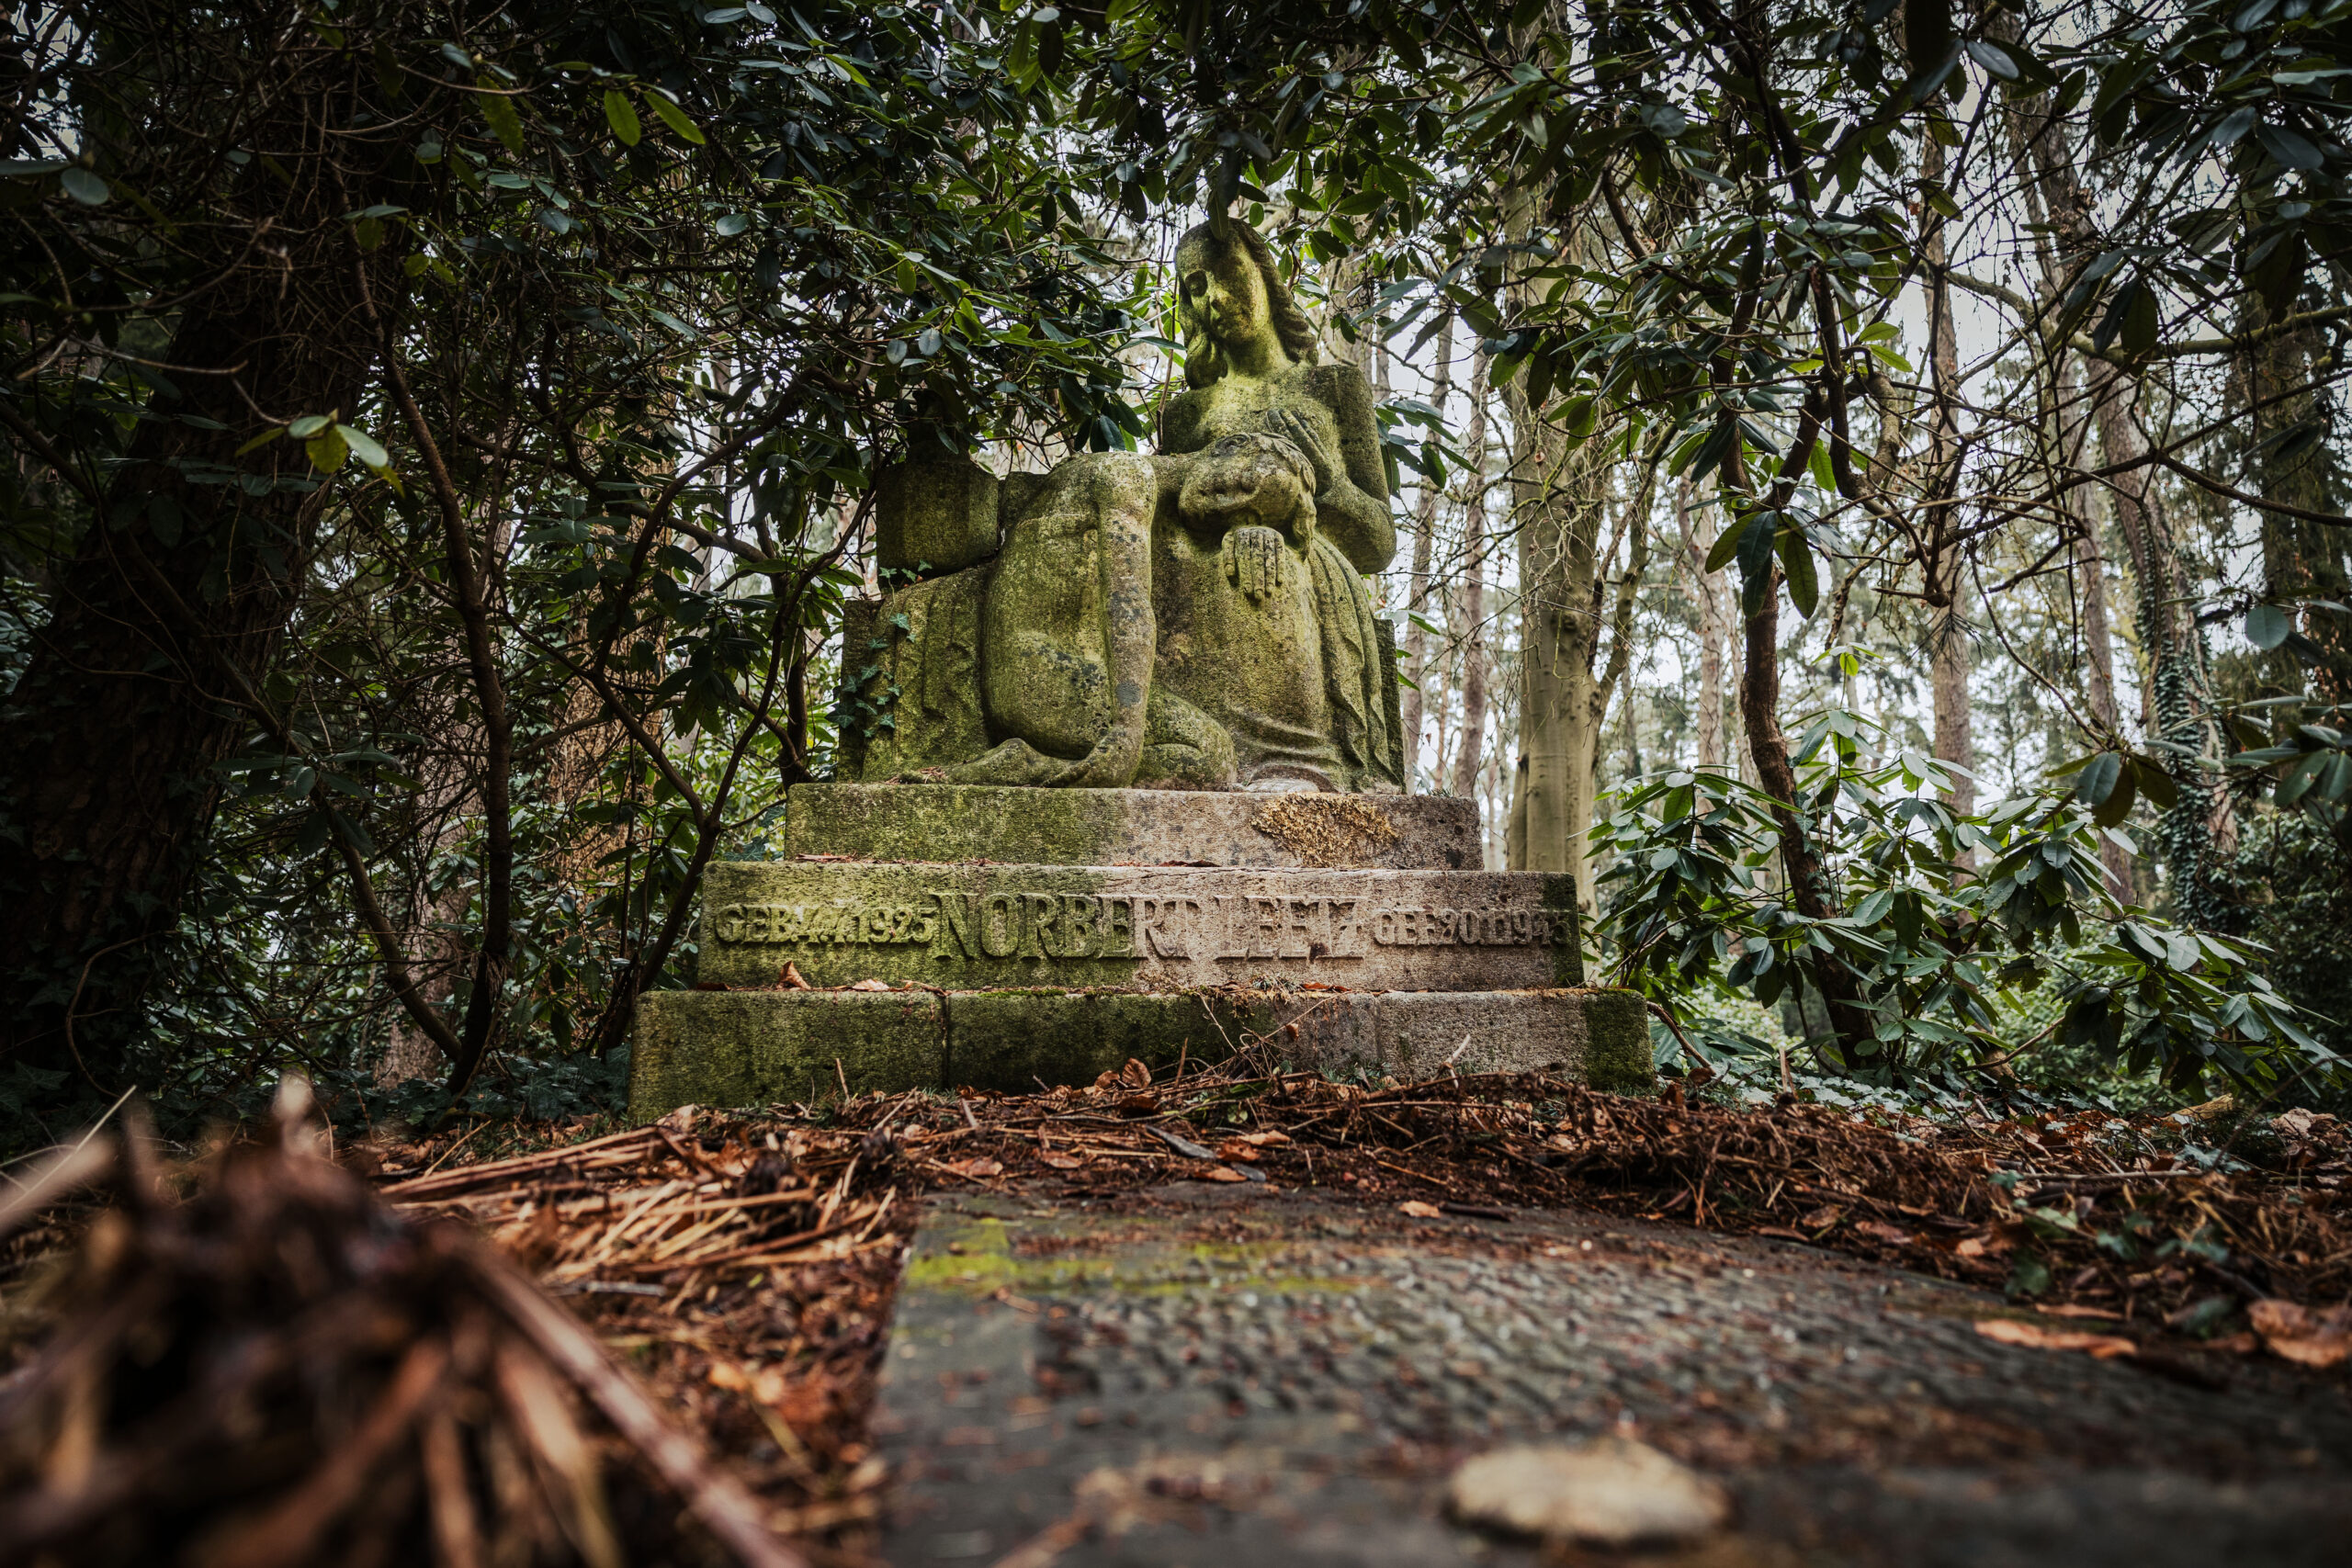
{"points": [[1184, 622]]}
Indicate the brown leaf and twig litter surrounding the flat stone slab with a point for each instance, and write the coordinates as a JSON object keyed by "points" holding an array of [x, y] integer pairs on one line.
{"points": [[288, 1369]]}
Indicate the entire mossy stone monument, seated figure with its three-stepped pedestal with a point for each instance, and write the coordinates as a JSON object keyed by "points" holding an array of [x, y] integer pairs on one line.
{"points": [[1121, 782]]}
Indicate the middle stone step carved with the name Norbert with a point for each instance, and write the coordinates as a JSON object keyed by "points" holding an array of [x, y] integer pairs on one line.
{"points": [[1149, 927]]}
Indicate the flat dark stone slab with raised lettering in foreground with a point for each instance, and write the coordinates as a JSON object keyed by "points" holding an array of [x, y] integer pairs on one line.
{"points": [[1236, 1376]]}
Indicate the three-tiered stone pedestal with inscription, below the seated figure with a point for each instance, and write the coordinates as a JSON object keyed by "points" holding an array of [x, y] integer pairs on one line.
{"points": [[1053, 934]]}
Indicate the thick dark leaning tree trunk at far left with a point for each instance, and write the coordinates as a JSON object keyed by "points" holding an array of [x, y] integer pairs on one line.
{"points": [[171, 612]]}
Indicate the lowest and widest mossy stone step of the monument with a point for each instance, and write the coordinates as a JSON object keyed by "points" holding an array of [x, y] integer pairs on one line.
{"points": [[759, 1047]]}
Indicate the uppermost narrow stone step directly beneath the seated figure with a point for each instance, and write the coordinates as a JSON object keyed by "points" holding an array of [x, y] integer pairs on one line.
{"points": [[1128, 826]]}
